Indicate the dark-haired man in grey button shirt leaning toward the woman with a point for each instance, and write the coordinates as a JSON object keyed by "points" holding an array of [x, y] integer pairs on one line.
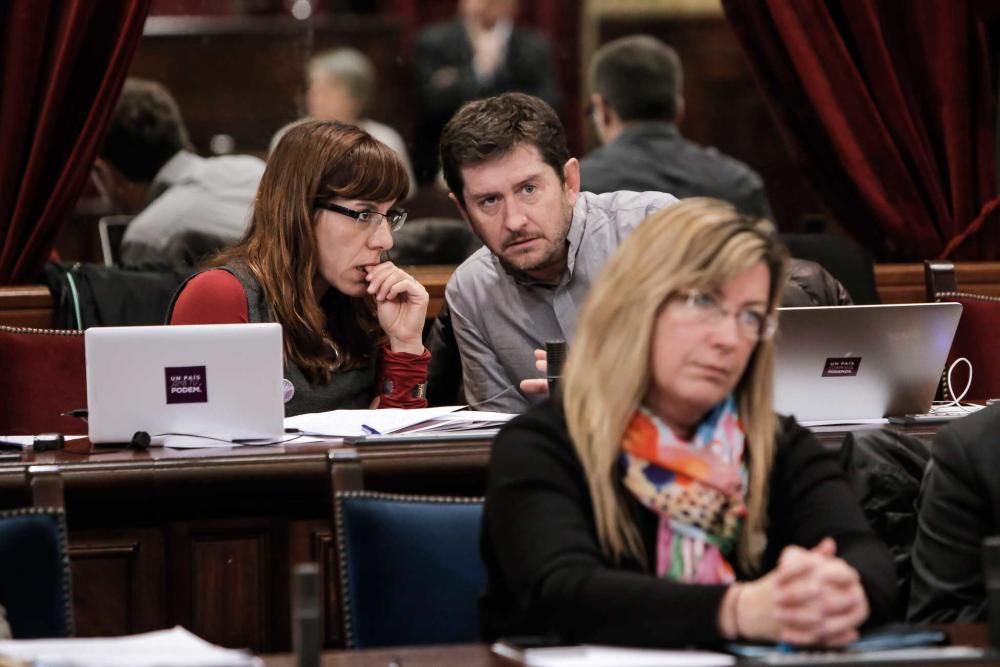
{"points": [[510, 174]]}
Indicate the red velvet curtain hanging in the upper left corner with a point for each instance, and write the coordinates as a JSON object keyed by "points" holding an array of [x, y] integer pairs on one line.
{"points": [[62, 65]]}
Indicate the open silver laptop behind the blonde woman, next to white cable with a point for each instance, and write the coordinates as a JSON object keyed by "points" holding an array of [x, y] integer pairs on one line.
{"points": [[849, 363]]}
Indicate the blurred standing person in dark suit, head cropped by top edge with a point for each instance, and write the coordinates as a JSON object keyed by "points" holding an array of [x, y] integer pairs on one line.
{"points": [[479, 53]]}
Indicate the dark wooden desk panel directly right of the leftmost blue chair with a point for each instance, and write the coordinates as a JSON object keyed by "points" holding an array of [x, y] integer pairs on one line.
{"points": [[118, 583]]}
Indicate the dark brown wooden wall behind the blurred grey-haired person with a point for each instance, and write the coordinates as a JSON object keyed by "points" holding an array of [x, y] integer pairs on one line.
{"points": [[244, 76]]}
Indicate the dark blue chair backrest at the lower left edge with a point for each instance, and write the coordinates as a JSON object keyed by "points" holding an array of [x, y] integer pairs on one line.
{"points": [[35, 592]]}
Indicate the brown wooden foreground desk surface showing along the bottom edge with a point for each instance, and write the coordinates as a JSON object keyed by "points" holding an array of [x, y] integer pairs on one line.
{"points": [[478, 655]]}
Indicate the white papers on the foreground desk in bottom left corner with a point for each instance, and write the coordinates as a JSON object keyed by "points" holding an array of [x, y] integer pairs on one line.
{"points": [[164, 648]]}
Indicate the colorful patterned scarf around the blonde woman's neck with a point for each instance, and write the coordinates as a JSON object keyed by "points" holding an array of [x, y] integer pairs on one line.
{"points": [[696, 487]]}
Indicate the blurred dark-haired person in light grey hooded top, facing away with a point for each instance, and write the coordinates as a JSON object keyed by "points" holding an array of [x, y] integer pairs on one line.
{"points": [[147, 167]]}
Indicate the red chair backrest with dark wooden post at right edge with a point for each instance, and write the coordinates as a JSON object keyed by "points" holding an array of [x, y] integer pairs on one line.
{"points": [[975, 338]]}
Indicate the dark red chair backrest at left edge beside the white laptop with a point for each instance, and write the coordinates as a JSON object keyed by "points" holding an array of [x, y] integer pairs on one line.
{"points": [[44, 375]]}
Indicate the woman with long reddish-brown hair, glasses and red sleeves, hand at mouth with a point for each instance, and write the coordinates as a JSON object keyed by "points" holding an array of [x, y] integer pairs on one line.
{"points": [[312, 260]]}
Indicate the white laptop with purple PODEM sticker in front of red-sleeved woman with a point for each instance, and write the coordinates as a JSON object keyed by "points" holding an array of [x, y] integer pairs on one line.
{"points": [[215, 380]]}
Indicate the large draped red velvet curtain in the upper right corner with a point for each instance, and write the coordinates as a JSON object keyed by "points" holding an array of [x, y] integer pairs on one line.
{"points": [[888, 106]]}
